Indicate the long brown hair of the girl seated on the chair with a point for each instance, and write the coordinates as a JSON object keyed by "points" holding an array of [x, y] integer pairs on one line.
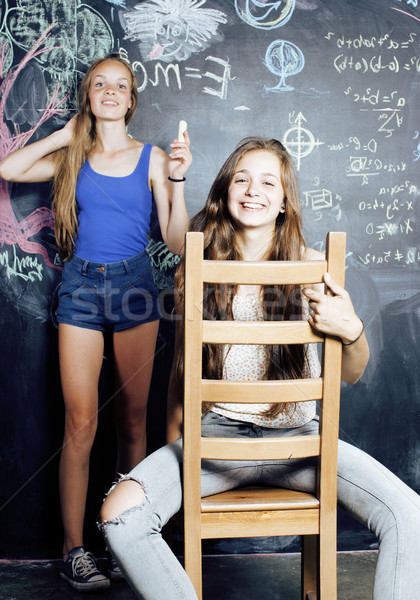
{"points": [[279, 302]]}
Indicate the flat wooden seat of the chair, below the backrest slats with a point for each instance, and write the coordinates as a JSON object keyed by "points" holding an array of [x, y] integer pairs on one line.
{"points": [[258, 499]]}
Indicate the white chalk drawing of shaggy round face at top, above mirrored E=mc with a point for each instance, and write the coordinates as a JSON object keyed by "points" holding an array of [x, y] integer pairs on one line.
{"points": [[171, 30]]}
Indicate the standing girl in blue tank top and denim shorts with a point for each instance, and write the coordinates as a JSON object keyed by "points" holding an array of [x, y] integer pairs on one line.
{"points": [[104, 182]]}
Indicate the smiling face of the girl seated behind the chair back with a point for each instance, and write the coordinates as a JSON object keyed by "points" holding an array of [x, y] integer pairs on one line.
{"points": [[256, 195]]}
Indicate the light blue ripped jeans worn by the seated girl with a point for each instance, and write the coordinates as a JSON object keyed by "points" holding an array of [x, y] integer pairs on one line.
{"points": [[366, 490]]}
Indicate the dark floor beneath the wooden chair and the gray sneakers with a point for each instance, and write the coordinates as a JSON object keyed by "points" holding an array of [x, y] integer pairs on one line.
{"points": [[243, 577]]}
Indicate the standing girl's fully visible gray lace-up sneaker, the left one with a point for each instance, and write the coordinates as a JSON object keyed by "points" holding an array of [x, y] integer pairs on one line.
{"points": [[80, 571]]}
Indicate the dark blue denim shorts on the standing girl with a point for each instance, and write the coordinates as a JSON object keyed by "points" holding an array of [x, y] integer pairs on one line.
{"points": [[108, 296]]}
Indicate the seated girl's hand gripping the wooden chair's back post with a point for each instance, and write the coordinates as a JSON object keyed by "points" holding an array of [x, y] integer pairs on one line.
{"points": [[333, 314]]}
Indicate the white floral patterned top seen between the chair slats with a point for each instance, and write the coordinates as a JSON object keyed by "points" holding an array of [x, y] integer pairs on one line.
{"points": [[249, 363]]}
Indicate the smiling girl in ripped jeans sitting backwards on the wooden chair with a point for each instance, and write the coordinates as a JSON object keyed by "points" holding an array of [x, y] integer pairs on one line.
{"points": [[252, 213]]}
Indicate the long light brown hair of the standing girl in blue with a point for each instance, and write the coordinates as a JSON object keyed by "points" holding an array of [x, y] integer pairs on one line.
{"points": [[70, 159]]}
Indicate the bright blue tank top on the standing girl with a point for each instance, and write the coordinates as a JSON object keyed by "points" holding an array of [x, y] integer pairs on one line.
{"points": [[113, 212]]}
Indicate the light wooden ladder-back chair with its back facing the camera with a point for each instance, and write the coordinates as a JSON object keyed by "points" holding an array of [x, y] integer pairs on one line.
{"points": [[256, 512]]}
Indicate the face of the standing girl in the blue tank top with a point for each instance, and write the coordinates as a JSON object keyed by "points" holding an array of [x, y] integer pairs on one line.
{"points": [[110, 90]]}
